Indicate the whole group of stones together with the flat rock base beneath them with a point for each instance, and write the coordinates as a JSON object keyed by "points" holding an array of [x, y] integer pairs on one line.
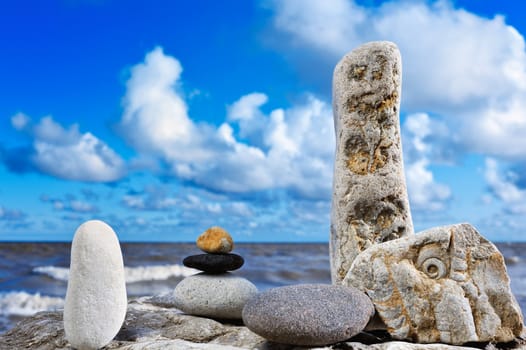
{"points": [[444, 288]]}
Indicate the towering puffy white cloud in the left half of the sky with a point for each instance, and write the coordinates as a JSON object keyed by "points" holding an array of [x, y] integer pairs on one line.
{"points": [[155, 116]]}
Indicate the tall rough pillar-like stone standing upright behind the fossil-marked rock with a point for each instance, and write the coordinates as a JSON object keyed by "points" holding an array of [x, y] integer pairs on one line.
{"points": [[369, 202]]}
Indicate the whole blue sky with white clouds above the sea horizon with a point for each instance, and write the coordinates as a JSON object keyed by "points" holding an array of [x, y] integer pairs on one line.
{"points": [[164, 118]]}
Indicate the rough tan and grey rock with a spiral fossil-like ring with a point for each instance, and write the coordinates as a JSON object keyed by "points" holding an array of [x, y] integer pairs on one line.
{"points": [[447, 284]]}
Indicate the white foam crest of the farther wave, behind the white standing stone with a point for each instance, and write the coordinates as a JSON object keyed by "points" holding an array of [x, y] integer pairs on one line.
{"points": [[133, 274]]}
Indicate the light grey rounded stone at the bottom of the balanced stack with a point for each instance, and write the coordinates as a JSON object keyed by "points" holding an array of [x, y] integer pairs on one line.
{"points": [[220, 296]]}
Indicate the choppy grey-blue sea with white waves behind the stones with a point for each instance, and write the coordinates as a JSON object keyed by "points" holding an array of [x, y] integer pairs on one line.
{"points": [[33, 276]]}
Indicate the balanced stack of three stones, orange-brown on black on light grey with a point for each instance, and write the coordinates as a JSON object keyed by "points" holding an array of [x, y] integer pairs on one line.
{"points": [[215, 292]]}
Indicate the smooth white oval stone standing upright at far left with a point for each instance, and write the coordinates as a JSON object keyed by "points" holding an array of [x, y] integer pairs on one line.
{"points": [[96, 301]]}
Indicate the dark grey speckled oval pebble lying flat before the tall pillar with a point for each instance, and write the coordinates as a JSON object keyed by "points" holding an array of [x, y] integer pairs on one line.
{"points": [[308, 314]]}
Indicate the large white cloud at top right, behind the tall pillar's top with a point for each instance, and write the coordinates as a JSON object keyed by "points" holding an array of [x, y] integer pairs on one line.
{"points": [[446, 64]]}
